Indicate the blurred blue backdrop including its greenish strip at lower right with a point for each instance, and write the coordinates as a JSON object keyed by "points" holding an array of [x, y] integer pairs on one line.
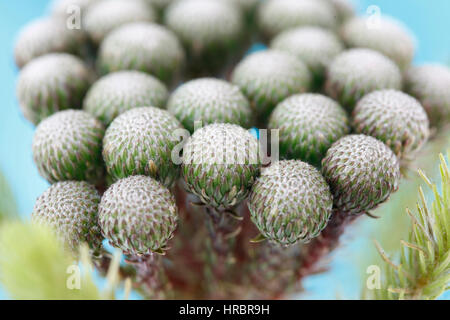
{"points": [[429, 20]]}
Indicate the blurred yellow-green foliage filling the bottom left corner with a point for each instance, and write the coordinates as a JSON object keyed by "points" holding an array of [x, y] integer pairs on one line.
{"points": [[34, 265]]}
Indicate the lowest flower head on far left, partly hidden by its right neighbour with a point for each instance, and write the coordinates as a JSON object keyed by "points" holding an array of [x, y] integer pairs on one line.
{"points": [[70, 208]]}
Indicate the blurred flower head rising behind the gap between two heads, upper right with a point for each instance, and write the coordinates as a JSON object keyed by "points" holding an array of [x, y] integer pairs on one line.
{"points": [[315, 46]]}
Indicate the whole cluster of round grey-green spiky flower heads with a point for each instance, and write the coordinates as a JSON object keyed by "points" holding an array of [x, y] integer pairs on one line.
{"points": [[148, 93]]}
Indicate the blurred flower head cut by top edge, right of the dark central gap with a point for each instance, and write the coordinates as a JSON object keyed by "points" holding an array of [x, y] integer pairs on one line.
{"points": [[276, 16]]}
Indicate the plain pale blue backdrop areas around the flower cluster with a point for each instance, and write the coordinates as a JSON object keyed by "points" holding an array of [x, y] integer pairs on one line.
{"points": [[428, 19]]}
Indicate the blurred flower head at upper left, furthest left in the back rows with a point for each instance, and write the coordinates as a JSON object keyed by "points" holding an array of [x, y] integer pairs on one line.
{"points": [[44, 36]]}
